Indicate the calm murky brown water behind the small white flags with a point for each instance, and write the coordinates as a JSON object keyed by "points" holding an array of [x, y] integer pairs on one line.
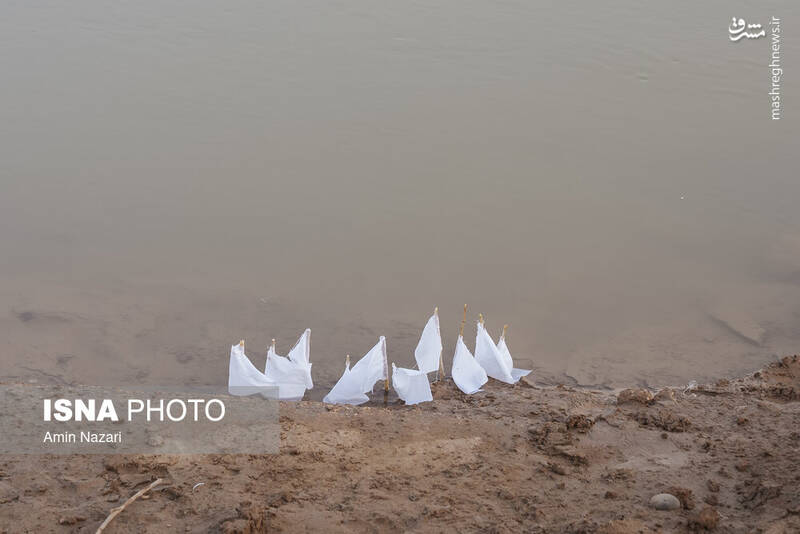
{"points": [[604, 177]]}
